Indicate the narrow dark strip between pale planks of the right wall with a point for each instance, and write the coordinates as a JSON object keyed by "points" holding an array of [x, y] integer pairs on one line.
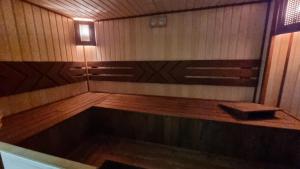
{"points": [[286, 65]]}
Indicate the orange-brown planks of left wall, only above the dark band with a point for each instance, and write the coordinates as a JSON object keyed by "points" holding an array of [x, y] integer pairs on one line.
{"points": [[33, 34]]}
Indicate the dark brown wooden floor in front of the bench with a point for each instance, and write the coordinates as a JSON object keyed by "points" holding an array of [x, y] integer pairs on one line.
{"points": [[97, 150]]}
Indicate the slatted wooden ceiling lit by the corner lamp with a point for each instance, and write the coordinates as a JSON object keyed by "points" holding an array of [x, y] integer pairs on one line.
{"points": [[108, 9]]}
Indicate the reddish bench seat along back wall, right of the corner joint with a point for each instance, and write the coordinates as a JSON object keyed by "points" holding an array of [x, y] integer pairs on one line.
{"points": [[190, 108]]}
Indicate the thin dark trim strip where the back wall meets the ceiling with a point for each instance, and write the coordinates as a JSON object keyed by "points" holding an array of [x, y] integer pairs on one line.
{"points": [[187, 10]]}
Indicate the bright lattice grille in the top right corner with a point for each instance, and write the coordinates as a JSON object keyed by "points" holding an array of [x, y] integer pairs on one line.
{"points": [[292, 15]]}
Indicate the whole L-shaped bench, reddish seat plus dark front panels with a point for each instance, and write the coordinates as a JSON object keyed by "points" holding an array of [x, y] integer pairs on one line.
{"points": [[177, 122]]}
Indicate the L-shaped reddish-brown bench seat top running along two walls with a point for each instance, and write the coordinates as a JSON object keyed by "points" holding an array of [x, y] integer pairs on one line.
{"points": [[24, 125]]}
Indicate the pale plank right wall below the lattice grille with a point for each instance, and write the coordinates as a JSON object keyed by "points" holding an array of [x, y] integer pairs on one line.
{"points": [[285, 48]]}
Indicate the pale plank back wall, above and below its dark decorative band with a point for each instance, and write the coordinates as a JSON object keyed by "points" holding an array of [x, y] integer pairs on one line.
{"points": [[234, 32]]}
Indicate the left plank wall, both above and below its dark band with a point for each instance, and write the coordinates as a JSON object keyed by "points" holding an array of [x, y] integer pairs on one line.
{"points": [[30, 33]]}
